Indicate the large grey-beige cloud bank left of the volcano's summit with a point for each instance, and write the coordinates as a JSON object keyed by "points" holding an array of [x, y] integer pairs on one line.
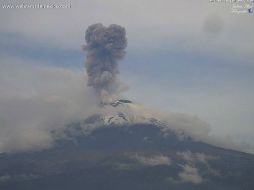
{"points": [[36, 99]]}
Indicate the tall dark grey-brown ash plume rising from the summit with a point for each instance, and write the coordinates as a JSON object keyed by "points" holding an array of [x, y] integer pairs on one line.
{"points": [[105, 46]]}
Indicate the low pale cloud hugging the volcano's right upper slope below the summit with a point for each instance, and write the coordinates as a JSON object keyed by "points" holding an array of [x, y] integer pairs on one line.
{"points": [[186, 125]]}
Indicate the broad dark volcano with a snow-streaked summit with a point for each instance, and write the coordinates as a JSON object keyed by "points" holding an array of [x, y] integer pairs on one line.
{"points": [[119, 149]]}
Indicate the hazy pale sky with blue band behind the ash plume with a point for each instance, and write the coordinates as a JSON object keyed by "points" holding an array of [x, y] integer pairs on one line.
{"points": [[194, 57]]}
